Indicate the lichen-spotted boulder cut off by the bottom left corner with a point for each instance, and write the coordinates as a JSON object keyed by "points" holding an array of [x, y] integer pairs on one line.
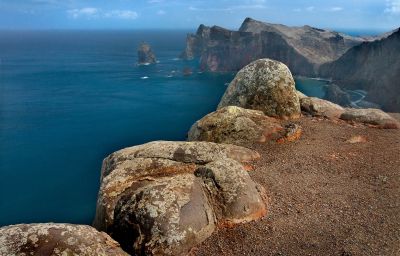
{"points": [[56, 239]]}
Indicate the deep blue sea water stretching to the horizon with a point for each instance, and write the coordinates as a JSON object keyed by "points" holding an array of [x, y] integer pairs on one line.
{"points": [[70, 98]]}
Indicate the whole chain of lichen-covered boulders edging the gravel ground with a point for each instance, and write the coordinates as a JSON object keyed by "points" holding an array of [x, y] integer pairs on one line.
{"points": [[166, 198]]}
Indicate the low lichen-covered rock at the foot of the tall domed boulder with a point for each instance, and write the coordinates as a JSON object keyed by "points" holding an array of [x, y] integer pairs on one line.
{"points": [[235, 125]]}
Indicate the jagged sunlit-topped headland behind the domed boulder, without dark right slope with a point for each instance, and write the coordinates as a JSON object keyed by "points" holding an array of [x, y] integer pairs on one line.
{"points": [[302, 49]]}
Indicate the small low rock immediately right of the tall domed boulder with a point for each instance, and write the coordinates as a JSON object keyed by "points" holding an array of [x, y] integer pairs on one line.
{"points": [[323, 108]]}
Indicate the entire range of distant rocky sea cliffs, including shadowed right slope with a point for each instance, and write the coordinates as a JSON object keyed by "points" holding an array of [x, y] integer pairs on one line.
{"points": [[365, 63]]}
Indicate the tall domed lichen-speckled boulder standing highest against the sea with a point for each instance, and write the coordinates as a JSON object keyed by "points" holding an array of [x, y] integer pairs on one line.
{"points": [[265, 85]]}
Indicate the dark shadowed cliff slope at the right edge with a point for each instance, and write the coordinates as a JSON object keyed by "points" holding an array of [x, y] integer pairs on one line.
{"points": [[372, 66]]}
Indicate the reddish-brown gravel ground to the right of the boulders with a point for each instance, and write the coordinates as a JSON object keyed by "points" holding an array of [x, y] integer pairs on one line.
{"points": [[327, 196]]}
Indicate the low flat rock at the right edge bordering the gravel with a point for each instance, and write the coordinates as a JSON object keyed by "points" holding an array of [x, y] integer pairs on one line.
{"points": [[375, 117]]}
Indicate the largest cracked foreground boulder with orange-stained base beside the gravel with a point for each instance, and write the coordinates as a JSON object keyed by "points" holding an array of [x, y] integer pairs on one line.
{"points": [[163, 198]]}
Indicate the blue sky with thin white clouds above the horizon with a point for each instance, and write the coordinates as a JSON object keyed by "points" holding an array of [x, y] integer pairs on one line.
{"points": [[135, 14]]}
